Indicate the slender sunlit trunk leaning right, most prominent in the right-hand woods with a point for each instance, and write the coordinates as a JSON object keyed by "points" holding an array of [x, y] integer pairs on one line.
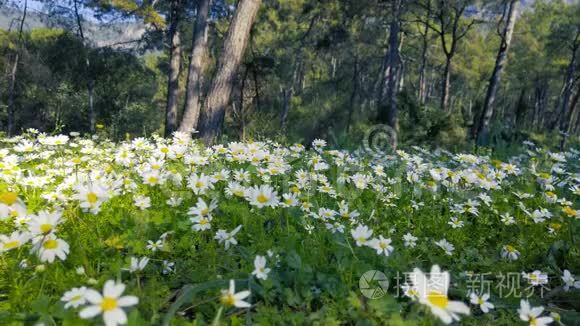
{"points": [[494, 82]]}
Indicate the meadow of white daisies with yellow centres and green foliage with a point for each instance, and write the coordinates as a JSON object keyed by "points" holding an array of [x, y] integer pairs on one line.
{"points": [[166, 231]]}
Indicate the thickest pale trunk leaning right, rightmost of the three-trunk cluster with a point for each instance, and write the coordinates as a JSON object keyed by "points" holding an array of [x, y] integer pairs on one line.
{"points": [[212, 116]]}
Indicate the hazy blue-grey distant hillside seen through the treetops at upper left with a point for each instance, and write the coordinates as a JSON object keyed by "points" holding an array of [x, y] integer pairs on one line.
{"points": [[100, 35]]}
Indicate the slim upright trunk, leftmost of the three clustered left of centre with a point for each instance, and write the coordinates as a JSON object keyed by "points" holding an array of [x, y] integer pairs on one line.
{"points": [[173, 73]]}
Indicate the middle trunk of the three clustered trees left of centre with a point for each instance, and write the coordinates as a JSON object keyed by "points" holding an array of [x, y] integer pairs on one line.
{"points": [[193, 88]]}
